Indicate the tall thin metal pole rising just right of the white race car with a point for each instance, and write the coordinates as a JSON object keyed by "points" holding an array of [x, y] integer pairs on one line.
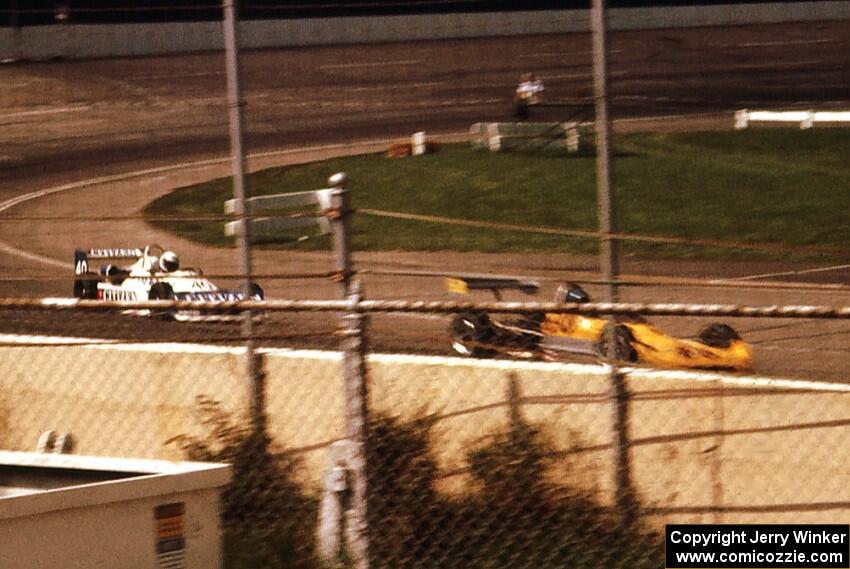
{"points": [[243, 235]]}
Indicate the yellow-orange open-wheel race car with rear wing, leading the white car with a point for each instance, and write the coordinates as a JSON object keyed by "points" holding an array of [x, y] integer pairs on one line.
{"points": [[553, 336]]}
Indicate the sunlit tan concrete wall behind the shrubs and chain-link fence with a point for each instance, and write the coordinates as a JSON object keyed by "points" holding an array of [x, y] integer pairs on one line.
{"points": [[705, 447]]}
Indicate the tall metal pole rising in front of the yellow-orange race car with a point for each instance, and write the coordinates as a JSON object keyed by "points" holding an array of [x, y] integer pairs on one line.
{"points": [[624, 497]]}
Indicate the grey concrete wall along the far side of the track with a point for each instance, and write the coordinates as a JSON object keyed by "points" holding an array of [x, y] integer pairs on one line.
{"points": [[86, 41]]}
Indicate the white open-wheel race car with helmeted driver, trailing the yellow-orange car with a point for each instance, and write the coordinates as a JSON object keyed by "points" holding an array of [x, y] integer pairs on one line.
{"points": [[155, 275]]}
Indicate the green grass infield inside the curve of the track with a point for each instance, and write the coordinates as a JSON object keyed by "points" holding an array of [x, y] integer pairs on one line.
{"points": [[778, 186]]}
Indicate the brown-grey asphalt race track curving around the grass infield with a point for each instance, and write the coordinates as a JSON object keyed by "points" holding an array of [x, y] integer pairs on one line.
{"points": [[66, 123]]}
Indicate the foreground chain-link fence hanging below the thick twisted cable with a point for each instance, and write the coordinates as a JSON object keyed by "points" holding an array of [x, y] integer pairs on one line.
{"points": [[382, 460]]}
